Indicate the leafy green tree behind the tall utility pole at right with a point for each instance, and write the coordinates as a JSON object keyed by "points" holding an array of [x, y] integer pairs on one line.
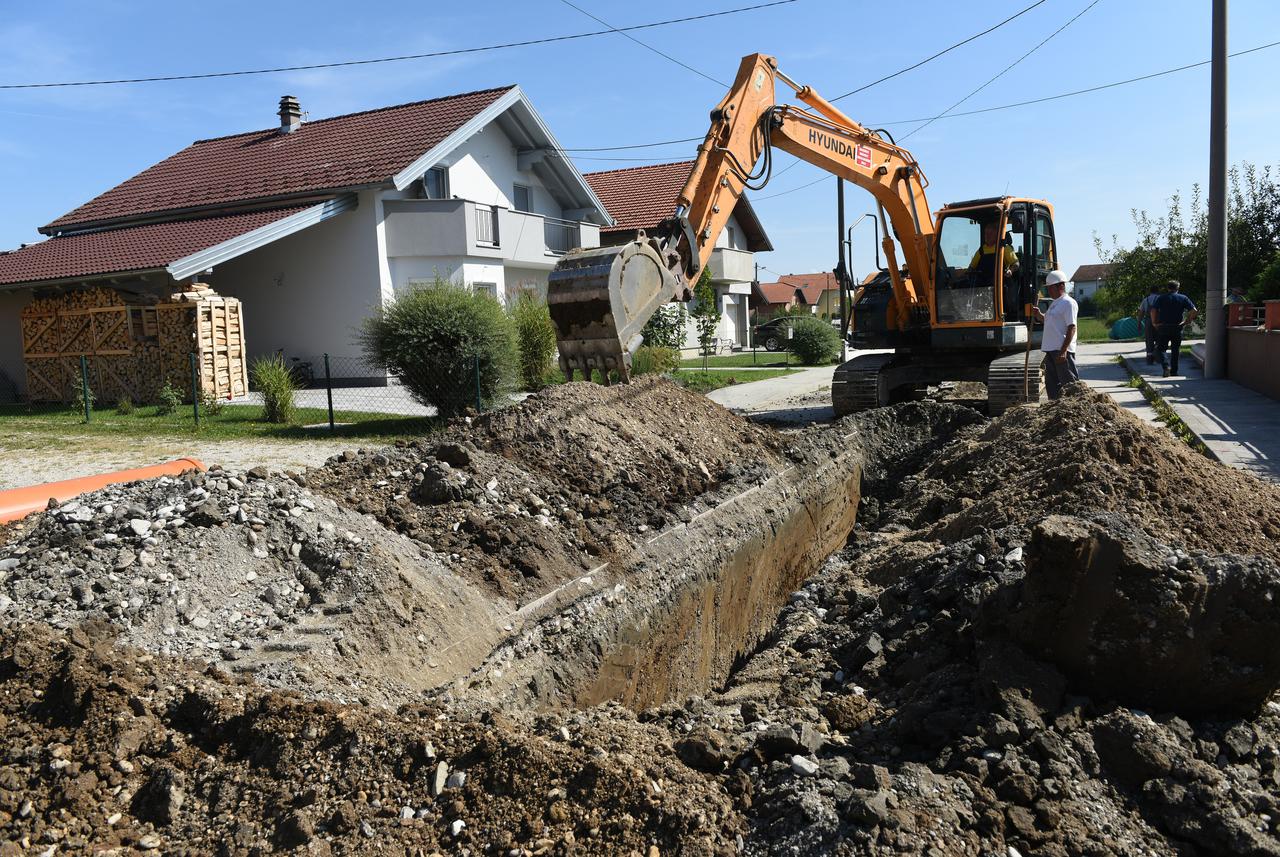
{"points": [[1176, 246]]}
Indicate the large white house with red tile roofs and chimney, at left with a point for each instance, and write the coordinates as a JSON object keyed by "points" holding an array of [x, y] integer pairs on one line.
{"points": [[314, 224]]}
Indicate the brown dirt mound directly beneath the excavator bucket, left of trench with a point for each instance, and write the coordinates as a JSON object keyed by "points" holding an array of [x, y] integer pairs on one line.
{"points": [[528, 497]]}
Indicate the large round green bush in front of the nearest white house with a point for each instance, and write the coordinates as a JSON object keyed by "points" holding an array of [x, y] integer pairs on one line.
{"points": [[432, 337]]}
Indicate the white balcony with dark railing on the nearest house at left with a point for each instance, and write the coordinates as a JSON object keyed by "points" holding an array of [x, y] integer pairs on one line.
{"points": [[452, 228]]}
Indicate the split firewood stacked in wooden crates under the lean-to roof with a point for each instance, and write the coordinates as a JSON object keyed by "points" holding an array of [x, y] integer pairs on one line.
{"points": [[134, 345]]}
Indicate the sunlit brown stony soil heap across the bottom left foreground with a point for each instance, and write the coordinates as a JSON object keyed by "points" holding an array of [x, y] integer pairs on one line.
{"points": [[111, 751]]}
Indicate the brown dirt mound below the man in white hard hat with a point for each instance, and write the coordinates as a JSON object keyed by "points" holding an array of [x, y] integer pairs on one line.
{"points": [[1087, 455]]}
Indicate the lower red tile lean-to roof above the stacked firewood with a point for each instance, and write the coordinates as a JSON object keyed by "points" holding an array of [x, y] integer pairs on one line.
{"points": [[131, 249]]}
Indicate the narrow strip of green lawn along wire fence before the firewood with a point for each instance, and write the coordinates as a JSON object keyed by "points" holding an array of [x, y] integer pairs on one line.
{"points": [[235, 421]]}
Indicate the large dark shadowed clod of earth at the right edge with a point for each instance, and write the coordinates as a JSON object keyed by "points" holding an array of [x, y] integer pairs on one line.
{"points": [[1128, 620]]}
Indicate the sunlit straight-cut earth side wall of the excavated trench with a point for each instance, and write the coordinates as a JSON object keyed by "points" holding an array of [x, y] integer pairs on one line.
{"points": [[674, 618]]}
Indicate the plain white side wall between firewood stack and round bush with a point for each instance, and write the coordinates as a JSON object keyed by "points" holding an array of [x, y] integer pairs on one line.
{"points": [[308, 294]]}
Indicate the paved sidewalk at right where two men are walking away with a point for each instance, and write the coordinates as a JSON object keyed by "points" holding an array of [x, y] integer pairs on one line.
{"points": [[1240, 427]]}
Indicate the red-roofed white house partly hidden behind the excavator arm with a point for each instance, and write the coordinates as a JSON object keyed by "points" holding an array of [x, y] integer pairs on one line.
{"points": [[642, 198]]}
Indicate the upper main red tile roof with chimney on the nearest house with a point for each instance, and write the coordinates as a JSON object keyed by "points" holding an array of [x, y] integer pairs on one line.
{"points": [[323, 155]]}
